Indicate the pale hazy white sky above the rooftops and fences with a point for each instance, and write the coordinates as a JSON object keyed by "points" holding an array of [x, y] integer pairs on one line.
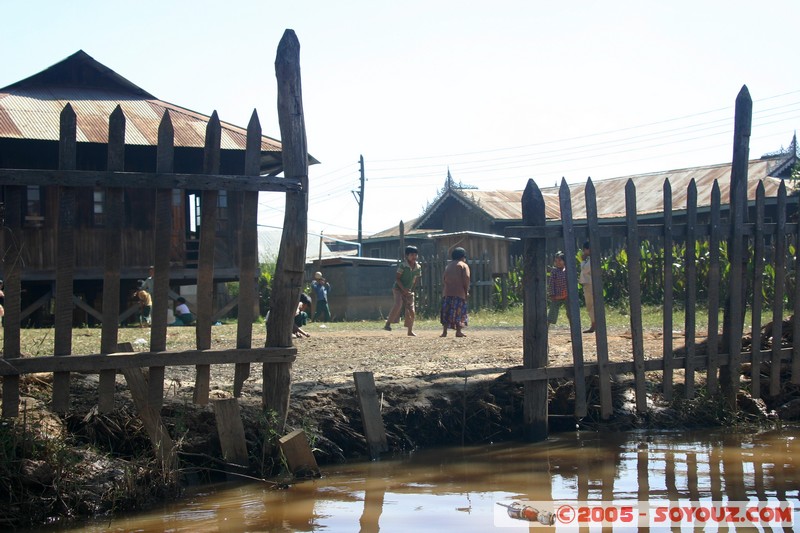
{"points": [[498, 92]]}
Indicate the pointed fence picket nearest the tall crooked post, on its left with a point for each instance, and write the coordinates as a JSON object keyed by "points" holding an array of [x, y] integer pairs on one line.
{"points": [[248, 258]]}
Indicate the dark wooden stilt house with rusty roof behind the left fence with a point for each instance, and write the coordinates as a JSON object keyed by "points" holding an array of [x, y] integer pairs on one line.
{"points": [[29, 139]]}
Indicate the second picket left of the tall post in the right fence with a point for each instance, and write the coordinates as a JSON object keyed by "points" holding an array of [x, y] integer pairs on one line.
{"points": [[690, 295]]}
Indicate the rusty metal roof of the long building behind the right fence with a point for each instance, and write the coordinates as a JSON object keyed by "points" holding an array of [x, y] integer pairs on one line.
{"points": [[610, 193]]}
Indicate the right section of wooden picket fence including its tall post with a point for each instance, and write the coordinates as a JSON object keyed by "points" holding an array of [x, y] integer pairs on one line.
{"points": [[723, 358]]}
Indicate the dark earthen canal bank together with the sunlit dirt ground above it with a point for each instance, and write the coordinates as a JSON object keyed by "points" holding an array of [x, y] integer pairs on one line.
{"points": [[434, 392]]}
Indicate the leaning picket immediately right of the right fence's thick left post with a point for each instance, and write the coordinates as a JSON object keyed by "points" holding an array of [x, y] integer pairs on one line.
{"points": [[565, 201]]}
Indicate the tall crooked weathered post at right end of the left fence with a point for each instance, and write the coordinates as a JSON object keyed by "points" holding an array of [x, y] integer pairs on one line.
{"points": [[290, 264]]}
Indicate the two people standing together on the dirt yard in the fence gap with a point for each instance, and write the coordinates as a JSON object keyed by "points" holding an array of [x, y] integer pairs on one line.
{"points": [[455, 293]]}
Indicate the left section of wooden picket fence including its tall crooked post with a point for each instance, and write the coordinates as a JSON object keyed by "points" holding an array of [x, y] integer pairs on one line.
{"points": [[109, 362]]}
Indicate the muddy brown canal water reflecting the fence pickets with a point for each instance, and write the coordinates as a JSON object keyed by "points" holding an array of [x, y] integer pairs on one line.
{"points": [[460, 489]]}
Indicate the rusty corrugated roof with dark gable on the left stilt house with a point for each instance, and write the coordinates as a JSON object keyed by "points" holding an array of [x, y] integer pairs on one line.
{"points": [[30, 109]]}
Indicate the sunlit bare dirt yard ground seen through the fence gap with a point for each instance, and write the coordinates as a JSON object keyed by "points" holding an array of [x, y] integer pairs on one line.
{"points": [[329, 358]]}
